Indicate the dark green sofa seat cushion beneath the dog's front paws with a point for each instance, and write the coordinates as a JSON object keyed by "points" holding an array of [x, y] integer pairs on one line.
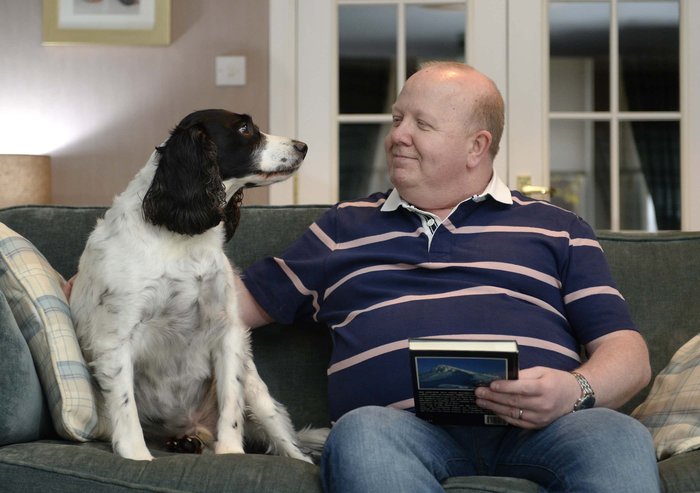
{"points": [[61, 466]]}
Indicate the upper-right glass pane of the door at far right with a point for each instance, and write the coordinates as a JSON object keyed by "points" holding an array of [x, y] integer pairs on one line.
{"points": [[649, 37]]}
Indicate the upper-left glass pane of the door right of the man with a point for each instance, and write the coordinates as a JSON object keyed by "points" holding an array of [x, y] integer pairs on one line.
{"points": [[579, 50]]}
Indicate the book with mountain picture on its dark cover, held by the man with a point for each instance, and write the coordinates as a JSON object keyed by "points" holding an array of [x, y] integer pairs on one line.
{"points": [[446, 372]]}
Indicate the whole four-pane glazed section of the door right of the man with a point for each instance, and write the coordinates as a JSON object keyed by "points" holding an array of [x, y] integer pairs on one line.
{"points": [[614, 129]]}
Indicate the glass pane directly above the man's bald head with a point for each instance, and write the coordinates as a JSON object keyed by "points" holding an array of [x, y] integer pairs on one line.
{"points": [[434, 32]]}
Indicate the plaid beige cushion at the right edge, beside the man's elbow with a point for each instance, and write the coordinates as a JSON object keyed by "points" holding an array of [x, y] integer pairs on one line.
{"points": [[672, 408]]}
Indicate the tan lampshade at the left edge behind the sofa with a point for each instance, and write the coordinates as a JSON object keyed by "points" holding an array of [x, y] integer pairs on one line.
{"points": [[24, 179]]}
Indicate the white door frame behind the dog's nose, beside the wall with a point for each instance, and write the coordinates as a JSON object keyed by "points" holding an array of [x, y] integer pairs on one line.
{"points": [[303, 81]]}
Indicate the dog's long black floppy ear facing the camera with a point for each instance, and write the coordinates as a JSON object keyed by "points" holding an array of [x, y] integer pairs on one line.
{"points": [[186, 195]]}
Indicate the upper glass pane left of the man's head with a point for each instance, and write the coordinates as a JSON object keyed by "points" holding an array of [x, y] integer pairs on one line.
{"points": [[367, 63]]}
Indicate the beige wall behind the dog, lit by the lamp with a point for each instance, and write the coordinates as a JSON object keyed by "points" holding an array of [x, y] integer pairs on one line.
{"points": [[98, 111]]}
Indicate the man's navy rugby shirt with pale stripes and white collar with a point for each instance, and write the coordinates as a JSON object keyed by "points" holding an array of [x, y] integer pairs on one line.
{"points": [[501, 266]]}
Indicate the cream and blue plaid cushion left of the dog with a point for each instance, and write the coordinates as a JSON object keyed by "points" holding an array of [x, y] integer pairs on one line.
{"points": [[34, 294]]}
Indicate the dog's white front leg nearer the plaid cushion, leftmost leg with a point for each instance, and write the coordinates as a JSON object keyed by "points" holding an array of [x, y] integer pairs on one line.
{"points": [[113, 370]]}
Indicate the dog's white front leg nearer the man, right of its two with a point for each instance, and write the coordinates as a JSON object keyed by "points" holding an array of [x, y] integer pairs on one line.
{"points": [[229, 368]]}
